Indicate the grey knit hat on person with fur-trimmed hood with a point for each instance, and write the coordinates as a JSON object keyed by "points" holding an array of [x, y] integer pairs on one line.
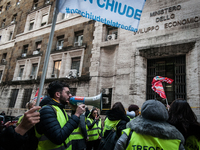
{"points": [[154, 110]]}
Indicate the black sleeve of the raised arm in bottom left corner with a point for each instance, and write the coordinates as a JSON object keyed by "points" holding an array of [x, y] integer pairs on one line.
{"points": [[9, 139]]}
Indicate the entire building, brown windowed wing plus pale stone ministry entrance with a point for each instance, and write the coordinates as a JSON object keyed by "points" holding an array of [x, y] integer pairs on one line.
{"points": [[119, 63]]}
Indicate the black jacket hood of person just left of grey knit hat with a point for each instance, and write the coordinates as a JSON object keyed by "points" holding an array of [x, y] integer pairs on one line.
{"points": [[116, 115]]}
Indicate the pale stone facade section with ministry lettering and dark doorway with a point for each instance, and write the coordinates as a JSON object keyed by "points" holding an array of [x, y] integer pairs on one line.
{"points": [[166, 44]]}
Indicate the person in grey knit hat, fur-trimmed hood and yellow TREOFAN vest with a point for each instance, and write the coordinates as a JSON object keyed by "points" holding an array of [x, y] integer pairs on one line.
{"points": [[150, 130]]}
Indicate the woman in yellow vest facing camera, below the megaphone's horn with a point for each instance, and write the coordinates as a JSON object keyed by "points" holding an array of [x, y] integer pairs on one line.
{"points": [[94, 130]]}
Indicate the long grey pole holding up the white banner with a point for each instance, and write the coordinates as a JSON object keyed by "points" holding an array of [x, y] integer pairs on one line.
{"points": [[46, 60]]}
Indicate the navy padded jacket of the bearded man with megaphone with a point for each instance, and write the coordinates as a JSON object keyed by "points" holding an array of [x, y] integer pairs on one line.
{"points": [[50, 127]]}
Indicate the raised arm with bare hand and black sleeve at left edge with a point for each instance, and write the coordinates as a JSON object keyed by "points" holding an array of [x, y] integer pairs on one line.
{"points": [[14, 138]]}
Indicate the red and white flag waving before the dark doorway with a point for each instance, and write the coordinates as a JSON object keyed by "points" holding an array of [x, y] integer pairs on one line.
{"points": [[158, 87]]}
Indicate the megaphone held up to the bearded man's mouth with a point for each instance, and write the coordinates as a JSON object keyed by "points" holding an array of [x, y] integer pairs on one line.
{"points": [[95, 101]]}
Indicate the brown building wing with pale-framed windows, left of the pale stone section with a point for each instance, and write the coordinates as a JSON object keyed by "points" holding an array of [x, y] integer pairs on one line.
{"points": [[24, 32]]}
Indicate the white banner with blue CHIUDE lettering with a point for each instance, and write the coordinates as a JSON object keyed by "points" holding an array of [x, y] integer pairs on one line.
{"points": [[123, 14]]}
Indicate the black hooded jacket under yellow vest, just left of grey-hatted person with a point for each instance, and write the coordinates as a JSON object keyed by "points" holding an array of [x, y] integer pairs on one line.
{"points": [[114, 115]]}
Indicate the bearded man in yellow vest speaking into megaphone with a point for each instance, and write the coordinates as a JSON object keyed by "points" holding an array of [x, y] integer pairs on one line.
{"points": [[55, 126]]}
